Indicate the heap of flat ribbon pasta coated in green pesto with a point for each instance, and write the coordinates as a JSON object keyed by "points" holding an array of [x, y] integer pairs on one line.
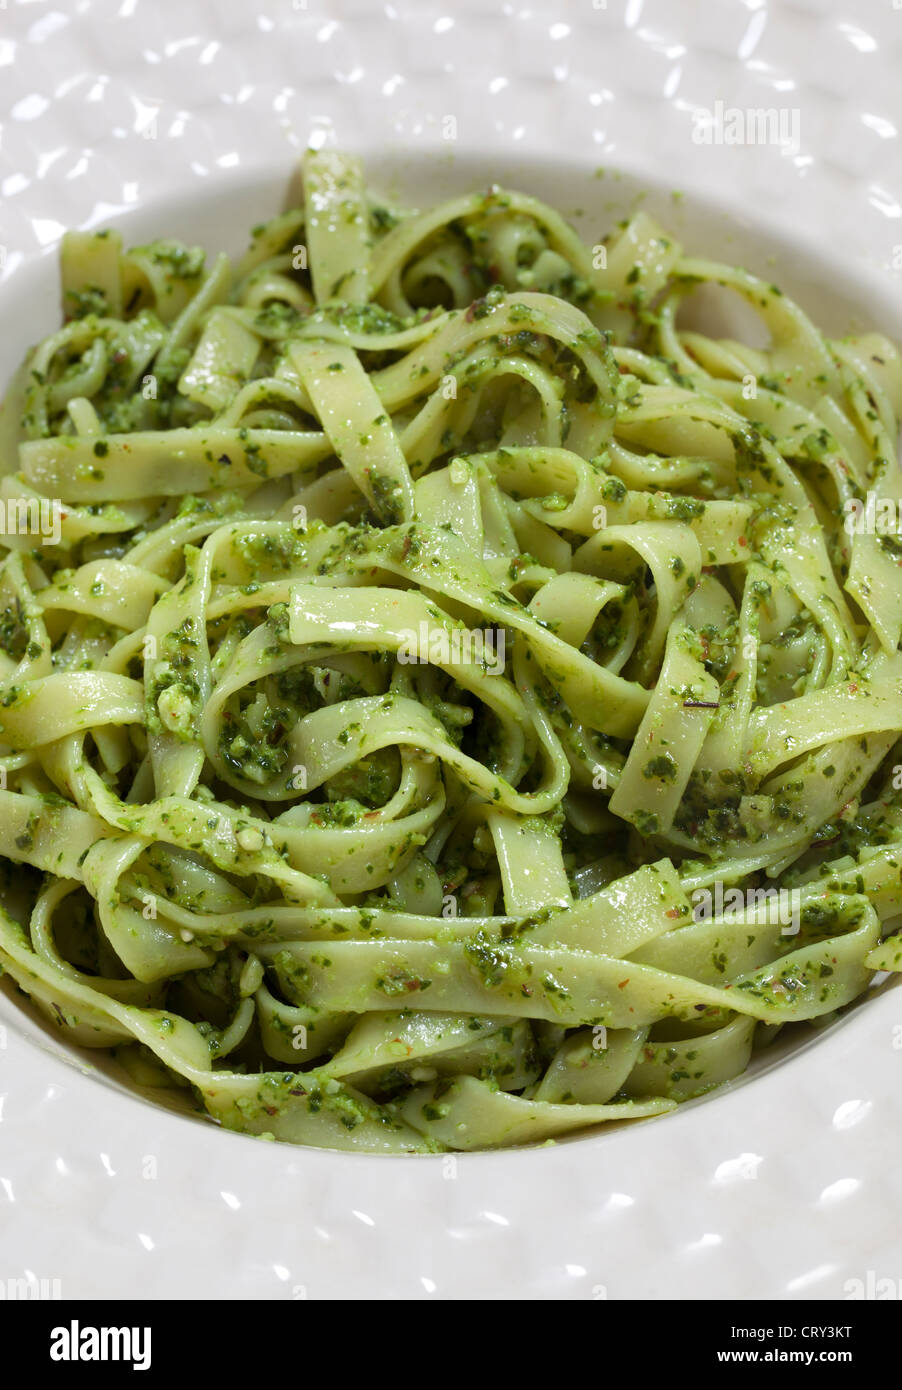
{"points": [[445, 661]]}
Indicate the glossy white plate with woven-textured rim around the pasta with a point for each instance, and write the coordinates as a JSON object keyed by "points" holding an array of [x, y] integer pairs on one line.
{"points": [[187, 119]]}
